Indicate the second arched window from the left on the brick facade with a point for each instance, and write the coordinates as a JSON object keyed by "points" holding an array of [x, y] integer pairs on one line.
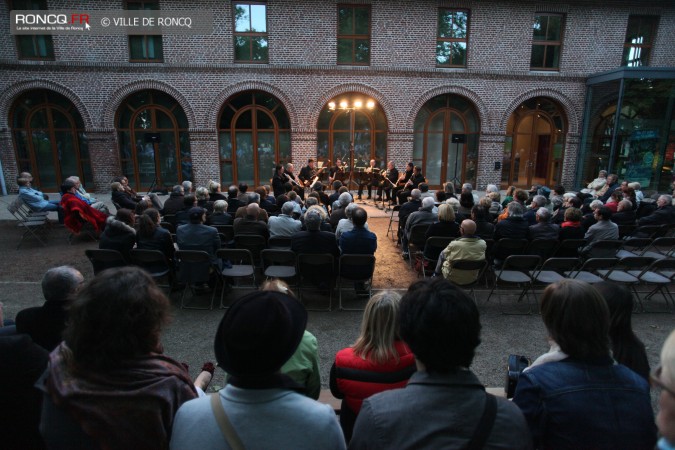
{"points": [[154, 140]]}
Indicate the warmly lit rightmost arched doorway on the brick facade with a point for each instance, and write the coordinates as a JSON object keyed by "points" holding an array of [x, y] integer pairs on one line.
{"points": [[534, 145]]}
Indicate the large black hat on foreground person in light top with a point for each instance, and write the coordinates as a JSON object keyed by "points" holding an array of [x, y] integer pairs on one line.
{"points": [[259, 333]]}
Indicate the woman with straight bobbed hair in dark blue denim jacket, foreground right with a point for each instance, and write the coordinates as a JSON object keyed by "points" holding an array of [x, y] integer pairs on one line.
{"points": [[583, 399]]}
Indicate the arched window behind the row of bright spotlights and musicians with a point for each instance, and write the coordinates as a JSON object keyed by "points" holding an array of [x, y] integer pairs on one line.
{"points": [[369, 128]]}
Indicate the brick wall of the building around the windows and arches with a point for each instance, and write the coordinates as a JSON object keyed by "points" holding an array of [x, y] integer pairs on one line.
{"points": [[199, 72]]}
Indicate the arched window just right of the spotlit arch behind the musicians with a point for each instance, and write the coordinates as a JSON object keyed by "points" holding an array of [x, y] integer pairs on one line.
{"points": [[446, 140]]}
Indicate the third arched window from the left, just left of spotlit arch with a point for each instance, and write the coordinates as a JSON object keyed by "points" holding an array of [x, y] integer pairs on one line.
{"points": [[254, 133]]}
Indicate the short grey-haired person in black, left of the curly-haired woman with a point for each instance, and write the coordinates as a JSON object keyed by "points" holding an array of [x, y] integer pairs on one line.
{"points": [[45, 324]]}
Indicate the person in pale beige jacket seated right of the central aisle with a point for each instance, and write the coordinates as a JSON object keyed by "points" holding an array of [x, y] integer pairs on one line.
{"points": [[469, 247]]}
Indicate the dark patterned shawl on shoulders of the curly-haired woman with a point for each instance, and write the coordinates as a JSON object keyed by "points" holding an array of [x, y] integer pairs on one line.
{"points": [[130, 406]]}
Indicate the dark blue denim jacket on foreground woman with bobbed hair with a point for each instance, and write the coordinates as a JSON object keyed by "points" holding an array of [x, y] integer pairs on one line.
{"points": [[586, 404]]}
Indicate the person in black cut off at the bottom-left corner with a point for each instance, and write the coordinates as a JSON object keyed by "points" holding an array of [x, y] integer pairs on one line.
{"points": [[23, 362]]}
